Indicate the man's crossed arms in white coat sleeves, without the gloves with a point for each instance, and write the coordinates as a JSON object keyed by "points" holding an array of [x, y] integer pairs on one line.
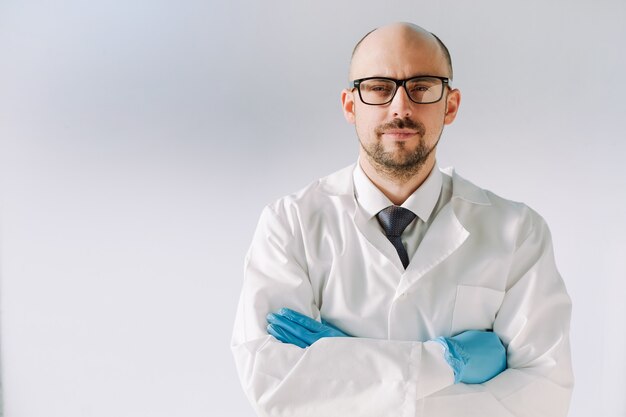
{"points": [[365, 377]]}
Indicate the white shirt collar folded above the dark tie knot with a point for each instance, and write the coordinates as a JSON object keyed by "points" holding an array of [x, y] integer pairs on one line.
{"points": [[421, 202]]}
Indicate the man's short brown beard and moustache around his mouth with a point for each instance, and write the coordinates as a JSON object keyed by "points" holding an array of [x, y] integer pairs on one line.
{"points": [[399, 163]]}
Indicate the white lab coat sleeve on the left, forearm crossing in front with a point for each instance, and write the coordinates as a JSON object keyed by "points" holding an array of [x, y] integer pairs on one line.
{"points": [[340, 377]]}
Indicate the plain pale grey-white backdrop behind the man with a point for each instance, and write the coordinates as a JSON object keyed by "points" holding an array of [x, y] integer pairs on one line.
{"points": [[139, 141]]}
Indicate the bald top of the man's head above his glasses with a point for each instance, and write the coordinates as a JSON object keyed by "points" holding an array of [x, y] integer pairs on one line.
{"points": [[385, 44]]}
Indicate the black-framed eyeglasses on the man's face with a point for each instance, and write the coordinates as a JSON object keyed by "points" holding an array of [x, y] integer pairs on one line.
{"points": [[377, 91]]}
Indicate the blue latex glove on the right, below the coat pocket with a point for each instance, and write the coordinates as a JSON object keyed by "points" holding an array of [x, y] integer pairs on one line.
{"points": [[475, 356]]}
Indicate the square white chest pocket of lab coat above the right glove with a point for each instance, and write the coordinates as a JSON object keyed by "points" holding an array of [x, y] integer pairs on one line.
{"points": [[475, 308]]}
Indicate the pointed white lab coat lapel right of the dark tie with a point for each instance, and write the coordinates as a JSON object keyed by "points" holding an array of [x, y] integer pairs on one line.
{"points": [[444, 236]]}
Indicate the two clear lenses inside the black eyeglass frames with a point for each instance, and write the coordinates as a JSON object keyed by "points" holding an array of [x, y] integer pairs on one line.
{"points": [[420, 90]]}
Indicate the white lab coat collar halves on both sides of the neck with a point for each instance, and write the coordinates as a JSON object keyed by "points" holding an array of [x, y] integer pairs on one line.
{"points": [[341, 184]]}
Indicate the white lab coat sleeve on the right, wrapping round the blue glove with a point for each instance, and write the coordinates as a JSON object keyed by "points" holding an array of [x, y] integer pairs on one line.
{"points": [[533, 322]]}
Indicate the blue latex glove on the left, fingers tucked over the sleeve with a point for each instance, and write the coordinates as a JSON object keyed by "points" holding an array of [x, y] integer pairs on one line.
{"points": [[289, 326]]}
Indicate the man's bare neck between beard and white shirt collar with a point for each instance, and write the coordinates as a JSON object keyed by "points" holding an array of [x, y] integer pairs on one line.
{"points": [[396, 188]]}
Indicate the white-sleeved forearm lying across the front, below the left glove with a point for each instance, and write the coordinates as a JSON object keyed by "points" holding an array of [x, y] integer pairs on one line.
{"points": [[340, 376]]}
